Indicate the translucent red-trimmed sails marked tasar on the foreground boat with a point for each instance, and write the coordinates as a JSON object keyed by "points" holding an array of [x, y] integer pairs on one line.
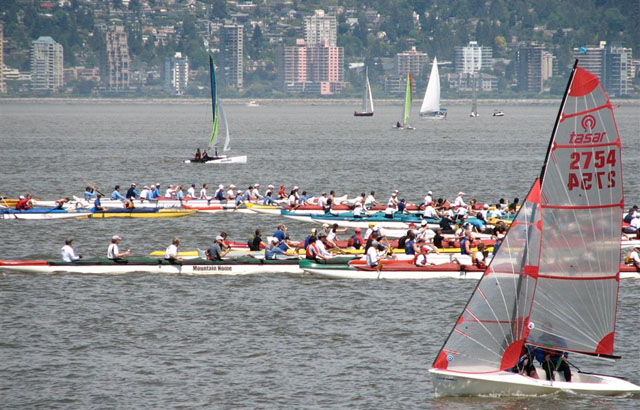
{"points": [[554, 280]]}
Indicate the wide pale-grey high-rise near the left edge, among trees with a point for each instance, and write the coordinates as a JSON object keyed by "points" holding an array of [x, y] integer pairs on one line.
{"points": [[46, 65]]}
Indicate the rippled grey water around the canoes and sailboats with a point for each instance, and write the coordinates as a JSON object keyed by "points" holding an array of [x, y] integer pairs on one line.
{"points": [[259, 341]]}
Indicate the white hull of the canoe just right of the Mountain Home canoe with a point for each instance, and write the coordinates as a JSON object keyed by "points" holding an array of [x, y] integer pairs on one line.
{"points": [[404, 275]]}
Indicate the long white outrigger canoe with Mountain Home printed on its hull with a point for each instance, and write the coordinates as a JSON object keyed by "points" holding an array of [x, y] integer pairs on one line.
{"points": [[238, 266]]}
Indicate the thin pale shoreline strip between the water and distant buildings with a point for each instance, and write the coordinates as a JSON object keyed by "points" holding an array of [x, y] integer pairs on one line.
{"points": [[496, 102]]}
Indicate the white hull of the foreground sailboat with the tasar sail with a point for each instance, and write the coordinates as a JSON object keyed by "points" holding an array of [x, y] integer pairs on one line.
{"points": [[448, 383]]}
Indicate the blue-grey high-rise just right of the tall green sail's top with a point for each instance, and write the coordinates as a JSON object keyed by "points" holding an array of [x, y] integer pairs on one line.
{"points": [[231, 55]]}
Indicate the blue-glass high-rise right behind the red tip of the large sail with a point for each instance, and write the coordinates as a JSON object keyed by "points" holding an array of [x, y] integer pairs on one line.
{"points": [[612, 65]]}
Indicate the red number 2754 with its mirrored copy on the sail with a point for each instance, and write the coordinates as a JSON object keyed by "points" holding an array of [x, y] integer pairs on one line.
{"points": [[587, 180]]}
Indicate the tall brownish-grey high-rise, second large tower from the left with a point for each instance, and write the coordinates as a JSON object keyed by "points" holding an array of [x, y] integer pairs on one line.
{"points": [[115, 67]]}
